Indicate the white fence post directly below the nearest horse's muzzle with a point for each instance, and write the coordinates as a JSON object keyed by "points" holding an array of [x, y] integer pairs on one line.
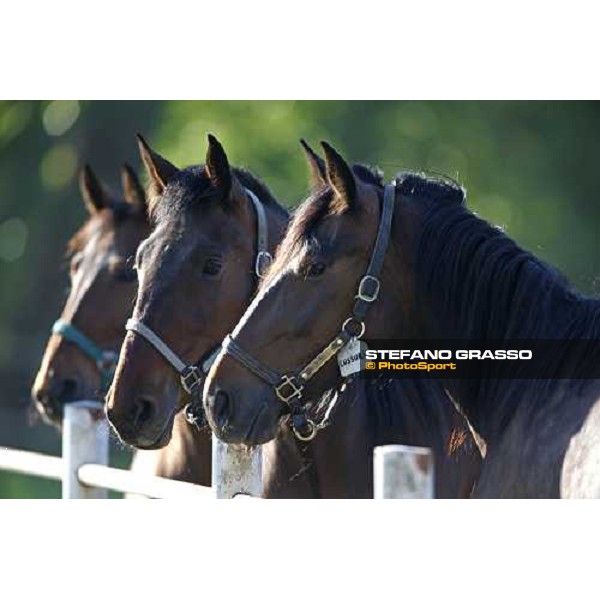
{"points": [[236, 470]]}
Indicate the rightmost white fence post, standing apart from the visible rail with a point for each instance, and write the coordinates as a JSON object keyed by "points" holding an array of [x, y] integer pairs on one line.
{"points": [[402, 472]]}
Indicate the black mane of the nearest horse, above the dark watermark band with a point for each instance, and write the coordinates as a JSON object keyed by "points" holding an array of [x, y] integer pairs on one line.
{"points": [[493, 289]]}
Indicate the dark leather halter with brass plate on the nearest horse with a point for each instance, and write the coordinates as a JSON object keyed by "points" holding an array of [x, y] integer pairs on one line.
{"points": [[288, 387]]}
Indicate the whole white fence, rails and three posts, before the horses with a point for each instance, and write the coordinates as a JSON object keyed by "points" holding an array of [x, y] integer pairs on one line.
{"points": [[399, 471]]}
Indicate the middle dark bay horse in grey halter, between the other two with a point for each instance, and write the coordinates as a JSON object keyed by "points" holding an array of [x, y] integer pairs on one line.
{"points": [[196, 278]]}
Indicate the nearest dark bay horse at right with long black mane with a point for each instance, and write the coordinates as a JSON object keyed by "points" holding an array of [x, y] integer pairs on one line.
{"points": [[446, 275]]}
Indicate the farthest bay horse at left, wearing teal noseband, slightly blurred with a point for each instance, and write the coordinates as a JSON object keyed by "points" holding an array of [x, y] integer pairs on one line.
{"points": [[77, 362]]}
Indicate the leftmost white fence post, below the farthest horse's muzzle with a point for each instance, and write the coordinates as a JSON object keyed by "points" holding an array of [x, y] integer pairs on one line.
{"points": [[85, 440]]}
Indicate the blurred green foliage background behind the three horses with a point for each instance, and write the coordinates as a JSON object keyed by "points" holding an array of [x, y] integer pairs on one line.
{"points": [[528, 166]]}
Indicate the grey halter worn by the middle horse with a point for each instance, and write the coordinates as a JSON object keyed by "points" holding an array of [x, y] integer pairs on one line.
{"points": [[192, 375]]}
